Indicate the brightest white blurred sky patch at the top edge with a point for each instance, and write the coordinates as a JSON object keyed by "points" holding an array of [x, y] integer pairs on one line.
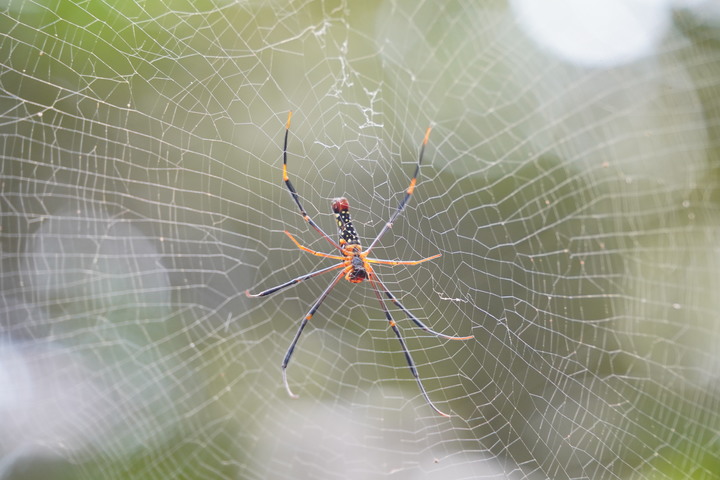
{"points": [[595, 33]]}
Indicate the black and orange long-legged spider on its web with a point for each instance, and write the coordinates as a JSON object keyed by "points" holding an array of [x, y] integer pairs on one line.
{"points": [[355, 266]]}
